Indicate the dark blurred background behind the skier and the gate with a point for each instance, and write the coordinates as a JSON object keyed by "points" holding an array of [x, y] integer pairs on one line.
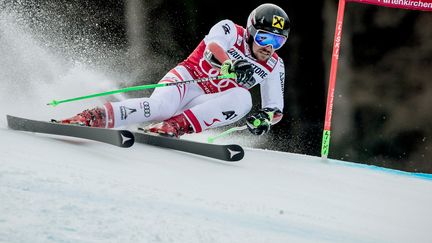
{"points": [[383, 98]]}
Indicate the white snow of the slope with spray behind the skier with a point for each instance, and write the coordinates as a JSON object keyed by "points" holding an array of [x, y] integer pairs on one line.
{"points": [[62, 189]]}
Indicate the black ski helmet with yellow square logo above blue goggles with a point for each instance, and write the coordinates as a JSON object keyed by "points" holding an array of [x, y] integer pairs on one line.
{"points": [[268, 17]]}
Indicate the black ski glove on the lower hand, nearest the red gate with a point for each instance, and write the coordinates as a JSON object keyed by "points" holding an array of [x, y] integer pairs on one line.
{"points": [[260, 122]]}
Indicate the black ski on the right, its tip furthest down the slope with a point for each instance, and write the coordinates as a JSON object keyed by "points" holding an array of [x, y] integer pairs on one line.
{"points": [[230, 152]]}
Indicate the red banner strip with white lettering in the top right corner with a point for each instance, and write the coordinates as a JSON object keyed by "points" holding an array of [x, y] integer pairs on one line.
{"points": [[423, 5]]}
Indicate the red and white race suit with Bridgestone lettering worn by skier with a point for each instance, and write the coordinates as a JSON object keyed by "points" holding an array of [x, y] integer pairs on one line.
{"points": [[207, 104]]}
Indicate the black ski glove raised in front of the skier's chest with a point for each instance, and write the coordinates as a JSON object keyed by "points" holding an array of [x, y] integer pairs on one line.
{"points": [[242, 69]]}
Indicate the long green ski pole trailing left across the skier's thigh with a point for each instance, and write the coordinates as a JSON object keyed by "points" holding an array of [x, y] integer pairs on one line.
{"points": [[140, 87]]}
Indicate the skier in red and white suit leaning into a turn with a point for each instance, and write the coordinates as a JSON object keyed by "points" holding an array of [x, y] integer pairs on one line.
{"points": [[228, 48]]}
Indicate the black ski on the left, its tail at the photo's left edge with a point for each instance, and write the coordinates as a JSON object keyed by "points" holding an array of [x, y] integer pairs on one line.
{"points": [[121, 138]]}
